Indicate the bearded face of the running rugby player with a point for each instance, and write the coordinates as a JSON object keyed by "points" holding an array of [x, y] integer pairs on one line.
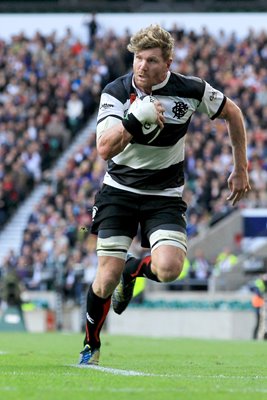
{"points": [[149, 68]]}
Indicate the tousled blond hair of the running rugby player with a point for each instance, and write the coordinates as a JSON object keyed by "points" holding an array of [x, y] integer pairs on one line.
{"points": [[151, 37]]}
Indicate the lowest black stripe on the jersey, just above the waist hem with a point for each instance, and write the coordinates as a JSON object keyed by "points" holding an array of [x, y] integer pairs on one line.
{"points": [[147, 179]]}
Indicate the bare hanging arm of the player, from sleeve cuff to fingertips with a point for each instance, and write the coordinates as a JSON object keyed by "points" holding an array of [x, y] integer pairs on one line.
{"points": [[238, 181]]}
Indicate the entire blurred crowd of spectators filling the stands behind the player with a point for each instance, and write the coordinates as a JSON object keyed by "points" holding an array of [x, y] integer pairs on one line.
{"points": [[50, 88]]}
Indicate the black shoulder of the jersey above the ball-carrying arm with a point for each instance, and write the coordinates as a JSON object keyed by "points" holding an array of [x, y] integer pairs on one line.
{"points": [[120, 88]]}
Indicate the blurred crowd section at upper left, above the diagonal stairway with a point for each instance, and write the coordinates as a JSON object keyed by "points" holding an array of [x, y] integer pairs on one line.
{"points": [[48, 89]]}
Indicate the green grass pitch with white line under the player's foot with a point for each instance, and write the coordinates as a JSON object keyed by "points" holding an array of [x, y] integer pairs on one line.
{"points": [[44, 366]]}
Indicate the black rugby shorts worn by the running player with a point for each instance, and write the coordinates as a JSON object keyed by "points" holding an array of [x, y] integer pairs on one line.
{"points": [[119, 213]]}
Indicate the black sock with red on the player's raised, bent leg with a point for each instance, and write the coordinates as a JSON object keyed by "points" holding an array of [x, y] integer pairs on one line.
{"points": [[135, 267]]}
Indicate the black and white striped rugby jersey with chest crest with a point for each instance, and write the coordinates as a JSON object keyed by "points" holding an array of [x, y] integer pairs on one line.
{"points": [[156, 168]]}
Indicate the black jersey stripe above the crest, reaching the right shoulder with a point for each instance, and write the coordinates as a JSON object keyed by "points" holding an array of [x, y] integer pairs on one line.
{"points": [[182, 86]]}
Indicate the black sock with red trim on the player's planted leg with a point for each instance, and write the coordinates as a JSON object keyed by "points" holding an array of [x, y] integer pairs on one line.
{"points": [[97, 310]]}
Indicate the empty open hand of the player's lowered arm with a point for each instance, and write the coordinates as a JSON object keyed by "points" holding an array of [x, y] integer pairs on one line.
{"points": [[238, 183]]}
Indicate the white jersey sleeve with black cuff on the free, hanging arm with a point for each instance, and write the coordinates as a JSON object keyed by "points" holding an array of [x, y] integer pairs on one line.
{"points": [[212, 102]]}
